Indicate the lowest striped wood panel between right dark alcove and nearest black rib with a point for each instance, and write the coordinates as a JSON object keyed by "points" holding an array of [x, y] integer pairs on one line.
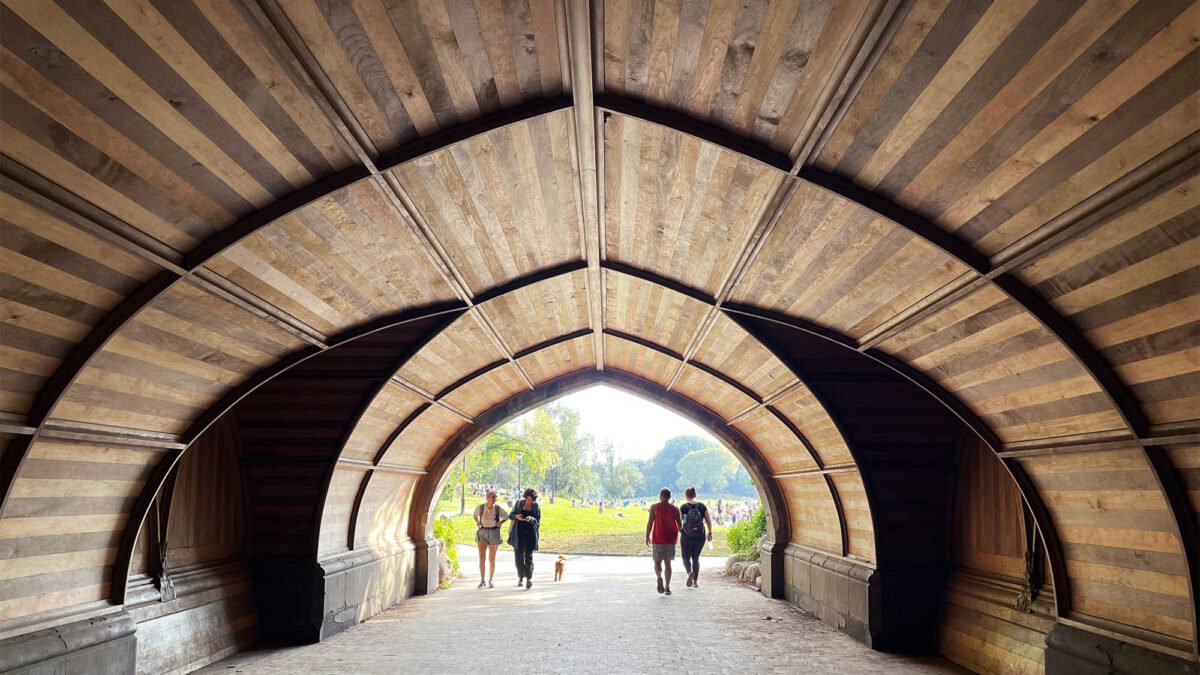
{"points": [[1120, 540]]}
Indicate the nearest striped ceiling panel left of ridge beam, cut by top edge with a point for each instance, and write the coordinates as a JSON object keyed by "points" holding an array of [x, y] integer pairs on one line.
{"points": [[407, 70]]}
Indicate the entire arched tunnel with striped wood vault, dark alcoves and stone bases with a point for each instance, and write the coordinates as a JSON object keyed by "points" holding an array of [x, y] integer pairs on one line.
{"points": [[929, 268]]}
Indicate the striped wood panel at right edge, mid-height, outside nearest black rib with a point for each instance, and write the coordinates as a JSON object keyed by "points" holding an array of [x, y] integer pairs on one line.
{"points": [[1131, 286]]}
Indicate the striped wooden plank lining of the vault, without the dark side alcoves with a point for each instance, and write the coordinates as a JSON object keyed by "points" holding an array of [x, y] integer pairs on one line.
{"points": [[998, 200]]}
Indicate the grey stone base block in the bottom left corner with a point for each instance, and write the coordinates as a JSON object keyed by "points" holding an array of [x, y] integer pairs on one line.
{"points": [[105, 644]]}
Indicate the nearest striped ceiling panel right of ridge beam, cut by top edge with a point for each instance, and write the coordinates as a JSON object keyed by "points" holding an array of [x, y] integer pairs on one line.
{"points": [[757, 69]]}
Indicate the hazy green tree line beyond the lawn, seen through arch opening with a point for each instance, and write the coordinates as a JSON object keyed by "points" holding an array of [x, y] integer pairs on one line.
{"points": [[547, 450]]}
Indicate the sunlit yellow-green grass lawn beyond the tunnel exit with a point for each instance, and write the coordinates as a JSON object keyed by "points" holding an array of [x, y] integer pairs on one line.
{"points": [[566, 530]]}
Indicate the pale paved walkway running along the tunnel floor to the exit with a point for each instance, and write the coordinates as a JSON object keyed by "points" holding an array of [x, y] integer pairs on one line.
{"points": [[604, 618]]}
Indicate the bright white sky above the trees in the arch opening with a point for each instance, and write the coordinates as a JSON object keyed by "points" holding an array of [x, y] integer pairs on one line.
{"points": [[637, 427]]}
